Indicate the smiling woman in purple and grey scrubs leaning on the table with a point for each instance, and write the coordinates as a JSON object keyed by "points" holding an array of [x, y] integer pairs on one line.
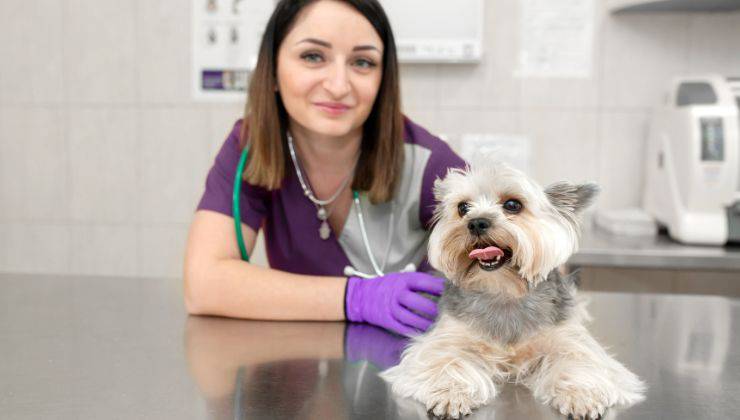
{"points": [[323, 121]]}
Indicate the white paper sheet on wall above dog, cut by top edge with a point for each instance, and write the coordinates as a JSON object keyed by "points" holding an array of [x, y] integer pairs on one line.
{"points": [[556, 38]]}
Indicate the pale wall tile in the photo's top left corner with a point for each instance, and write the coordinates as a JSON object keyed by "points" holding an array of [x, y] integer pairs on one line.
{"points": [[32, 52]]}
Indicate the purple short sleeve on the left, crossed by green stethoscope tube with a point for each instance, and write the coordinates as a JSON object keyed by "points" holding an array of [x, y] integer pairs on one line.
{"points": [[220, 184]]}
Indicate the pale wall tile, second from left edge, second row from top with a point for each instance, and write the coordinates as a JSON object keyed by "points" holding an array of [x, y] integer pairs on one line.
{"points": [[103, 164]]}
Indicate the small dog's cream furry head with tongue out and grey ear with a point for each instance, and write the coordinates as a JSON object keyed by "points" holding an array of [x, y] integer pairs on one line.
{"points": [[495, 227]]}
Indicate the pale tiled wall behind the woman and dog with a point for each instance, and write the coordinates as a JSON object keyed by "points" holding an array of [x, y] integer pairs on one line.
{"points": [[103, 154]]}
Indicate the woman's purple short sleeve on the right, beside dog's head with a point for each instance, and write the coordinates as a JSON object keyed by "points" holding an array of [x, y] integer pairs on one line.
{"points": [[441, 159]]}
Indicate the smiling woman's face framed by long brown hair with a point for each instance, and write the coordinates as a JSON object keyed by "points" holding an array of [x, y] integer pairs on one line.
{"points": [[329, 69]]}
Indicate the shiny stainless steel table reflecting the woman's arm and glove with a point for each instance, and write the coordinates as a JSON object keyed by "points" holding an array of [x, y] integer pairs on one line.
{"points": [[109, 348]]}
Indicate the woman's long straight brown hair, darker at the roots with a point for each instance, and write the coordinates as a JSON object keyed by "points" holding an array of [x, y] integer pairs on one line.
{"points": [[265, 122]]}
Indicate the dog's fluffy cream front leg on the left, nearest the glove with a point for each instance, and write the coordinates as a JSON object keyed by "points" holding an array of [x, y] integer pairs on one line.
{"points": [[450, 369]]}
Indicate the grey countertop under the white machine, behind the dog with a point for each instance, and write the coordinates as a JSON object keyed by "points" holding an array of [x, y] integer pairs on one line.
{"points": [[604, 249]]}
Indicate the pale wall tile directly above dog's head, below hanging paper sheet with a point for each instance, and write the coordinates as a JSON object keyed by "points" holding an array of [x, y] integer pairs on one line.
{"points": [[565, 145]]}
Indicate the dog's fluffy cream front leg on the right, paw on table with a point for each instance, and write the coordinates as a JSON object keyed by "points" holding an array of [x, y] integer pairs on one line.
{"points": [[571, 372]]}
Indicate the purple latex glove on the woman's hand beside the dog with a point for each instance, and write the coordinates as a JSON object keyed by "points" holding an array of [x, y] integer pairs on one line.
{"points": [[391, 301]]}
